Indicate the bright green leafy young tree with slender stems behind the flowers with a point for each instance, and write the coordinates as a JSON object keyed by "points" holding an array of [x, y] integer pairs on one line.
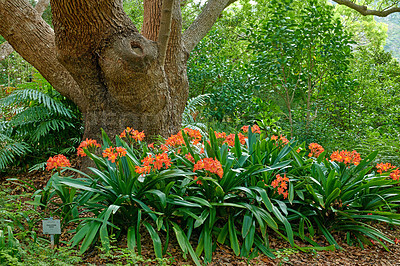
{"points": [[301, 59]]}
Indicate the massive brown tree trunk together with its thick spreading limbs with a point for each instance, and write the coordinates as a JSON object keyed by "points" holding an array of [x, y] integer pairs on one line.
{"points": [[97, 58]]}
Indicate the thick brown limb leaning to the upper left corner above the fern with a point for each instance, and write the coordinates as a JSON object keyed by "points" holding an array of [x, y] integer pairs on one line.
{"points": [[33, 39]]}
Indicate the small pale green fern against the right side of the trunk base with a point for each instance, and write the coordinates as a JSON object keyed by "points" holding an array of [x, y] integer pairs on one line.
{"points": [[191, 112]]}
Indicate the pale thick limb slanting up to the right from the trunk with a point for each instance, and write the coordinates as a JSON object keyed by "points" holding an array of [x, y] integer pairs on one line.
{"points": [[203, 23]]}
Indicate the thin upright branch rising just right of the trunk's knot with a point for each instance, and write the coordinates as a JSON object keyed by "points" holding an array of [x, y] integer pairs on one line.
{"points": [[165, 28]]}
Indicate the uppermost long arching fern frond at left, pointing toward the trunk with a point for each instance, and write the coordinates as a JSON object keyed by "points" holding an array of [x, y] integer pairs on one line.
{"points": [[25, 96]]}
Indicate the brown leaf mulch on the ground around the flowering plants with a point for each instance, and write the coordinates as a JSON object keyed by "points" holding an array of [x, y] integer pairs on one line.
{"points": [[224, 255]]}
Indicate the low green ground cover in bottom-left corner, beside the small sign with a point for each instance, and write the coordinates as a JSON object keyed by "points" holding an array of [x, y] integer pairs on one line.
{"points": [[19, 243]]}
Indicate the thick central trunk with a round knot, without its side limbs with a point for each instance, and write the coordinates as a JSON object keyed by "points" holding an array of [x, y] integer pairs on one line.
{"points": [[119, 71]]}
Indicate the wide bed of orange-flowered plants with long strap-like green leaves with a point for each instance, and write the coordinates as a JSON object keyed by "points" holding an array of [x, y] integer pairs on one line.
{"points": [[231, 189]]}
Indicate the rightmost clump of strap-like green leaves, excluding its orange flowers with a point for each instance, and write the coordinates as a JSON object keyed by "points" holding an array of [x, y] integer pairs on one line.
{"points": [[345, 197]]}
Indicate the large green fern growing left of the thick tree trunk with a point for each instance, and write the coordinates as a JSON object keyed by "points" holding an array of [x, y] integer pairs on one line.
{"points": [[43, 123]]}
